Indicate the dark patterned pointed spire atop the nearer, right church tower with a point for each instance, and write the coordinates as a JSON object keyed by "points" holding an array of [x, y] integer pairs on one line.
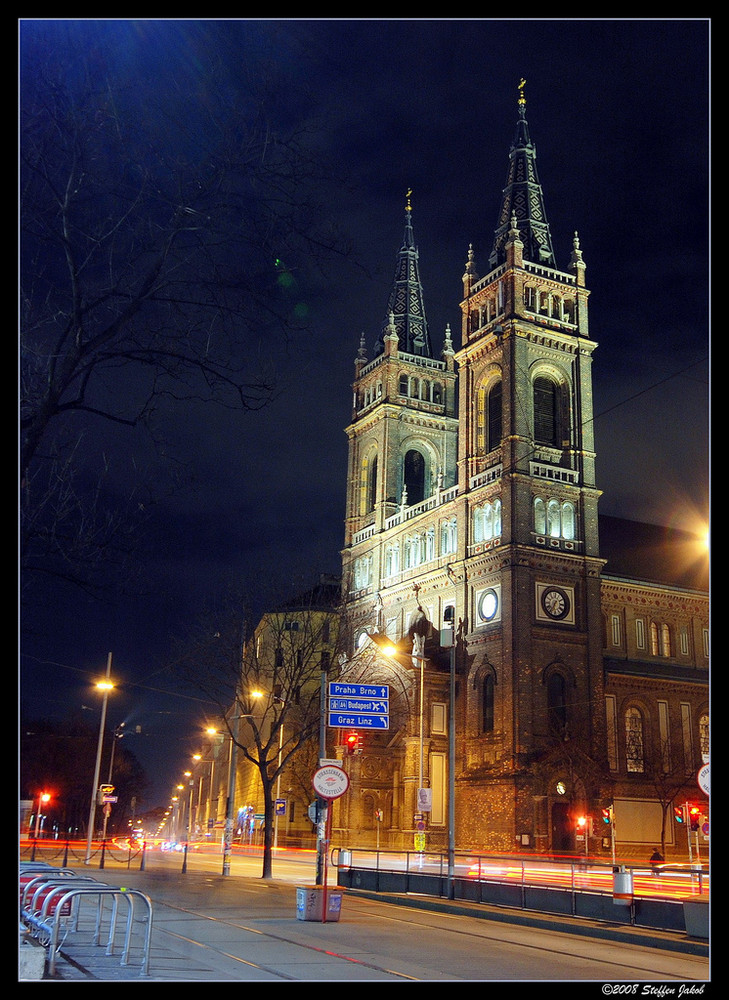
{"points": [[523, 199]]}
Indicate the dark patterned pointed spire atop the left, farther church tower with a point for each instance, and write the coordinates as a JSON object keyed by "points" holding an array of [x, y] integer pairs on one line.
{"points": [[405, 307]]}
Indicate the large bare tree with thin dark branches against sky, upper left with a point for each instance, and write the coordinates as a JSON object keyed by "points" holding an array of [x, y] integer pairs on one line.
{"points": [[167, 245]]}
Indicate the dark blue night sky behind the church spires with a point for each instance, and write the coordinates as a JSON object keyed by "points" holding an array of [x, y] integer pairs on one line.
{"points": [[619, 112]]}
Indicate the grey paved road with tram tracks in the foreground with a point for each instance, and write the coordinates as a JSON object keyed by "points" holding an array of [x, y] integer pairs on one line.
{"points": [[214, 928]]}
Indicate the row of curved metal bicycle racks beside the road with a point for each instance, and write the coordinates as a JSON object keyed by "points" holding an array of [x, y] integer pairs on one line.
{"points": [[51, 900]]}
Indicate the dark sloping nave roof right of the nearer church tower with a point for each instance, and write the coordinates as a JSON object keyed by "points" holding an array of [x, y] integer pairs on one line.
{"points": [[652, 553]]}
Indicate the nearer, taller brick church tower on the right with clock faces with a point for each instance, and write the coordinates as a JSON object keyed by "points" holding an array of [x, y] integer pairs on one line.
{"points": [[530, 576]]}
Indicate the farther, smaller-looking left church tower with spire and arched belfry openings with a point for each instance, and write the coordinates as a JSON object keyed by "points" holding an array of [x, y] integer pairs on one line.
{"points": [[402, 437]]}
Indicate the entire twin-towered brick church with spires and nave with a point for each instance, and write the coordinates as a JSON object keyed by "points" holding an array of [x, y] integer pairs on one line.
{"points": [[582, 642]]}
